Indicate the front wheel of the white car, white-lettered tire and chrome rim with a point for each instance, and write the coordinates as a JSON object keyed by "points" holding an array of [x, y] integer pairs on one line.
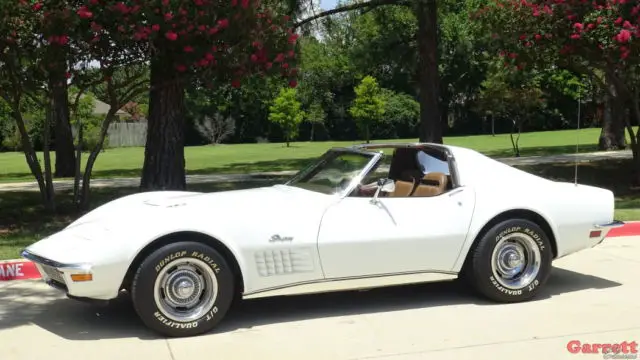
{"points": [[183, 289]]}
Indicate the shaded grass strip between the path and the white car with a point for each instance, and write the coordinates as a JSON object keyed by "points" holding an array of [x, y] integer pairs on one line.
{"points": [[22, 220]]}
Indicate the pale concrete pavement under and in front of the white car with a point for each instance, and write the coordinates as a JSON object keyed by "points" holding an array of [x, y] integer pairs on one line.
{"points": [[592, 297]]}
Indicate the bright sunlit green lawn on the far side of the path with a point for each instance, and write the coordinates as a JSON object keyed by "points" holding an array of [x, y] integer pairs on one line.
{"points": [[244, 158]]}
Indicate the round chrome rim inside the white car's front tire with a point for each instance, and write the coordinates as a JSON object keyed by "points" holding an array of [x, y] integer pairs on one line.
{"points": [[185, 290]]}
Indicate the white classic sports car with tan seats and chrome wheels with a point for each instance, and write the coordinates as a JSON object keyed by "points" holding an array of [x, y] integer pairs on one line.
{"points": [[356, 218]]}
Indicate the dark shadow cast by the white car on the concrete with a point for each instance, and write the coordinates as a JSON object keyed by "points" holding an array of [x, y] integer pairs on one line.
{"points": [[74, 320]]}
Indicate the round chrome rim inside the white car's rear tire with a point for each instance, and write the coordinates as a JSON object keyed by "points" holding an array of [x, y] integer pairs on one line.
{"points": [[515, 262]]}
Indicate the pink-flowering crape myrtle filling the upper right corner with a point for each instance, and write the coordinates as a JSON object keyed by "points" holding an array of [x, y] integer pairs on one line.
{"points": [[596, 38]]}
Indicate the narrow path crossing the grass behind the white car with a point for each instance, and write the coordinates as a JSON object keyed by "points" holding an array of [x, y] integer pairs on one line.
{"points": [[199, 179]]}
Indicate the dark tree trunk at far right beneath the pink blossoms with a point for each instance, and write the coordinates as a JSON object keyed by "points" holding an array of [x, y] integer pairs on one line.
{"points": [[612, 135]]}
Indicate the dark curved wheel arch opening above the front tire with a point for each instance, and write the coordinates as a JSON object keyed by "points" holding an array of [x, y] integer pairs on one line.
{"points": [[185, 236]]}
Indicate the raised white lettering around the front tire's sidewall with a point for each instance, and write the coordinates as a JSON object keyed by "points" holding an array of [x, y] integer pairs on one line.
{"points": [[194, 254]]}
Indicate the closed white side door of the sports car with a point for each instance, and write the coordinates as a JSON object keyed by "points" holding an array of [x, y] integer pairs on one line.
{"points": [[358, 237]]}
